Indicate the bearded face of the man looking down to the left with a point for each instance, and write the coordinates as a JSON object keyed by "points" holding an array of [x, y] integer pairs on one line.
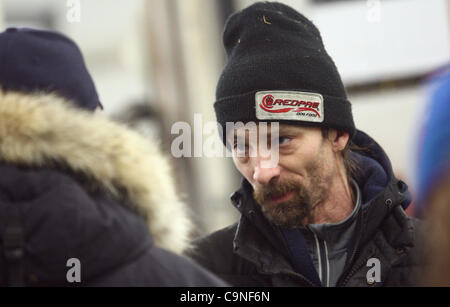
{"points": [[288, 190]]}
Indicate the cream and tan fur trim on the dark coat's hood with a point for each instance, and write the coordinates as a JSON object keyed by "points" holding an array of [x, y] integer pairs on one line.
{"points": [[38, 128]]}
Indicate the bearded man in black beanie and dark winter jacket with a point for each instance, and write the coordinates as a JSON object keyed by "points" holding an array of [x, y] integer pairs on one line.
{"points": [[329, 212]]}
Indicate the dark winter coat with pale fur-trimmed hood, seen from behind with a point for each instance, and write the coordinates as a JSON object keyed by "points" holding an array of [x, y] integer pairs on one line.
{"points": [[76, 185]]}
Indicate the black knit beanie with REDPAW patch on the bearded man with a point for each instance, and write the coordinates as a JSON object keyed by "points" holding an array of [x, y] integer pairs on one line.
{"points": [[278, 70]]}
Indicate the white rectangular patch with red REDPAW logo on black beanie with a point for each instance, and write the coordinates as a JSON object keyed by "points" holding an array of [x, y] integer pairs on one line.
{"points": [[289, 105]]}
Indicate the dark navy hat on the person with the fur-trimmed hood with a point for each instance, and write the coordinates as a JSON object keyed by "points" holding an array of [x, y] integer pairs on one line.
{"points": [[35, 60]]}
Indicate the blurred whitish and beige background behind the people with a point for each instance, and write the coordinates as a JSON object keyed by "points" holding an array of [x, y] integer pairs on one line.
{"points": [[156, 62]]}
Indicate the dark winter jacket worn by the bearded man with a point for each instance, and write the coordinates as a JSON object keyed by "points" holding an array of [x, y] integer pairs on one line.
{"points": [[253, 252]]}
